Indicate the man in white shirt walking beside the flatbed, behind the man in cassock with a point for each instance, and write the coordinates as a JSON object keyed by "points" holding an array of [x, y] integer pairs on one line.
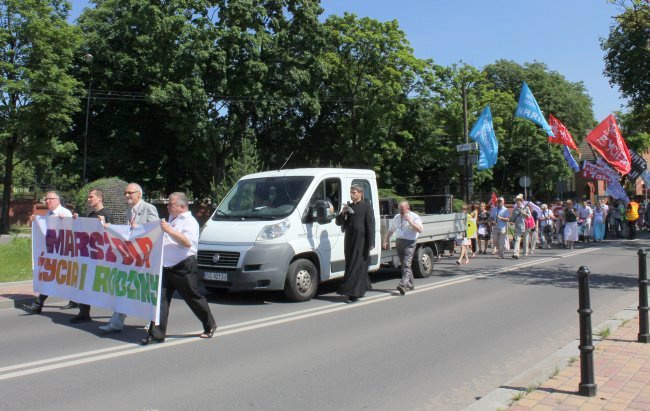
{"points": [[407, 225]]}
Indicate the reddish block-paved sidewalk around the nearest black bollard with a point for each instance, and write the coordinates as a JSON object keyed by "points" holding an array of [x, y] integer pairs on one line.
{"points": [[622, 373]]}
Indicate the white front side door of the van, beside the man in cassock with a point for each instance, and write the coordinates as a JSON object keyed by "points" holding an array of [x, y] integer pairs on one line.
{"points": [[326, 237]]}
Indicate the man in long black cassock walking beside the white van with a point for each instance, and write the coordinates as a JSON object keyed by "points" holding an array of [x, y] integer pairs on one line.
{"points": [[358, 222]]}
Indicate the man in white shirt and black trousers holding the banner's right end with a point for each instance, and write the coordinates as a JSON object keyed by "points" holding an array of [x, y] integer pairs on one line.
{"points": [[180, 244]]}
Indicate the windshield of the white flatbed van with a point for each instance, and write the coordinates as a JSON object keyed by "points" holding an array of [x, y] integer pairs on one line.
{"points": [[268, 198]]}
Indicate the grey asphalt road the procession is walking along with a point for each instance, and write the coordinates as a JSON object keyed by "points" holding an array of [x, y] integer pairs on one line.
{"points": [[459, 335]]}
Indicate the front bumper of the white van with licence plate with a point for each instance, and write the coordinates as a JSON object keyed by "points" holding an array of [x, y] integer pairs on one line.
{"points": [[258, 267]]}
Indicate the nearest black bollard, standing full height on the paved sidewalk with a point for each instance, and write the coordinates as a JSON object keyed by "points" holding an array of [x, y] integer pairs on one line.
{"points": [[587, 386]]}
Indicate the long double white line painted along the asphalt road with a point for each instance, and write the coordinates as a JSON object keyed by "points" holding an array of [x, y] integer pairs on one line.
{"points": [[49, 364]]}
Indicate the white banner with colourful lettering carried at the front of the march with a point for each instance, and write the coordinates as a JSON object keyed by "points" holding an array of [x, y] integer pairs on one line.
{"points": [[118, 268]]}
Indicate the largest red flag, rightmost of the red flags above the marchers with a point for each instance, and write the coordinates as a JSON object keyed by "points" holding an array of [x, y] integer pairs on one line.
{"points": [[608, 141]]}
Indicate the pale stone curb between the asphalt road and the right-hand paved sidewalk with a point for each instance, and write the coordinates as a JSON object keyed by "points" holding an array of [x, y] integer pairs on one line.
{"points": [[501, 398]]}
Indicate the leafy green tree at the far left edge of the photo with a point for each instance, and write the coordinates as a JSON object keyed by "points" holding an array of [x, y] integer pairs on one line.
{"points": [[38, 92]]}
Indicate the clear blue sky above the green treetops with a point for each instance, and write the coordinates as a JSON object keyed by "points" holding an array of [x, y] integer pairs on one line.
{"points": [[563, 34]]}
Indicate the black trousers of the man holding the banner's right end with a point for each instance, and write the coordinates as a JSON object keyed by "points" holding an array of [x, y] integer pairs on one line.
{"points": [[183, 277]]}
